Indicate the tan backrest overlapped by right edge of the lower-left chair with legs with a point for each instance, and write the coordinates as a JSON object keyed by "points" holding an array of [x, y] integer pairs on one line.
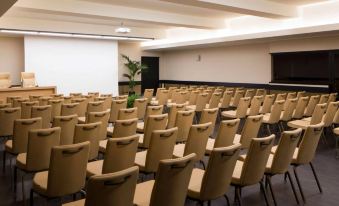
{"points": [[88, 132]]}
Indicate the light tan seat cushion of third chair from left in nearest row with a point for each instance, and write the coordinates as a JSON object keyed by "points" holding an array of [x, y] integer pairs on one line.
{"points": [[195, 183]]}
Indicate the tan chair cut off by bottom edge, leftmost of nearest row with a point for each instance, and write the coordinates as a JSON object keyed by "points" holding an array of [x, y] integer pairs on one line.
{"points": [[116, 189]]}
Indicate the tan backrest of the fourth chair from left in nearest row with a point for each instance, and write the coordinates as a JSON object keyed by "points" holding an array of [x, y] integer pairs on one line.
{"points": [[256, 159]]}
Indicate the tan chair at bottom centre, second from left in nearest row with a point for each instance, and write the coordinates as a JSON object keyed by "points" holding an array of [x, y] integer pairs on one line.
{"points": [[170, 185]]}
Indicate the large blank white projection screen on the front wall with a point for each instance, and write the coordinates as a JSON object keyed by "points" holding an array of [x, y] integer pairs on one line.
{"points": [[73, 64]]}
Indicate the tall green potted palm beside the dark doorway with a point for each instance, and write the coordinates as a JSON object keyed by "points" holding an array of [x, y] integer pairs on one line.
{"points": [[134, 68]]}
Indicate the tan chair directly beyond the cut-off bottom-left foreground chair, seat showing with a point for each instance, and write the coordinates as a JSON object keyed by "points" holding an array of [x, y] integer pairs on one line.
{"points": [[120, 154]]}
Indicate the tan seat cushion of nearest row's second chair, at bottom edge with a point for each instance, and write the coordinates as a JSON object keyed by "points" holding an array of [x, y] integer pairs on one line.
{"points": [[143, 192]]}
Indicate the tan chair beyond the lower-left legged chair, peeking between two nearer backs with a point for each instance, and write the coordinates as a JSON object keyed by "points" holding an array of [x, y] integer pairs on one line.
{"points": [[67, 125]]}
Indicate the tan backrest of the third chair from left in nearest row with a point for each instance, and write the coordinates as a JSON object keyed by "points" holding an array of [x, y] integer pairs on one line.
{"points": [[218, 175]]}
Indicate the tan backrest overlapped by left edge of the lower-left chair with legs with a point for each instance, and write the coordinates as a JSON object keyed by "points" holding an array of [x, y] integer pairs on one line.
{"points": [[40, 144]]}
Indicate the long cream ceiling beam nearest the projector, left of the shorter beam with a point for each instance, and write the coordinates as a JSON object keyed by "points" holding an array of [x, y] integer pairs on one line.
{"points": [[107, 11]]}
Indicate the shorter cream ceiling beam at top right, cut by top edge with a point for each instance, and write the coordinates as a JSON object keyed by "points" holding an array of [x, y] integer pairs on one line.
{"points": [[262, 8]]}
